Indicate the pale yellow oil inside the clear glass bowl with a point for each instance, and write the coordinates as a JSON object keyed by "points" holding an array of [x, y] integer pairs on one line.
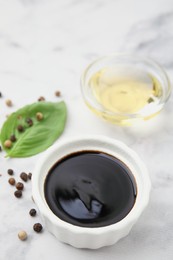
{"points": [[124, 91]]}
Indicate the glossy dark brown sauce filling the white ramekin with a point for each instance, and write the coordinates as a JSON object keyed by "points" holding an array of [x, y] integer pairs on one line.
{"points": [[90, 189]]}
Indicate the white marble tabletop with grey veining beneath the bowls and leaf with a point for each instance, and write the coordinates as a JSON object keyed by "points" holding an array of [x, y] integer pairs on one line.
{"points": [[44, 46]]}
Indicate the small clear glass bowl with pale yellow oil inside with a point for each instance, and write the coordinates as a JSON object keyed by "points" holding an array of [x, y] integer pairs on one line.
{"points": [[124, 88]]}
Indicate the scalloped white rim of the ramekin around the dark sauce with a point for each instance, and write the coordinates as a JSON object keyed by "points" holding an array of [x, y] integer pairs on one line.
{"points": [[46, 212]]}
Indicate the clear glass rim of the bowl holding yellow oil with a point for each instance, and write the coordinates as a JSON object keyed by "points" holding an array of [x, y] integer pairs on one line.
{"points": [[148, 60]]}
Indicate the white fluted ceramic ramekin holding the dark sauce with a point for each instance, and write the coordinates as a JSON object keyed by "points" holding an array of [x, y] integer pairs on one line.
{"points": [[82, 237]]}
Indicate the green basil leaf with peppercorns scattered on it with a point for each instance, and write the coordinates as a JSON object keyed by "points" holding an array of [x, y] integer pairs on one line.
{"points": [[40, 135]]}
